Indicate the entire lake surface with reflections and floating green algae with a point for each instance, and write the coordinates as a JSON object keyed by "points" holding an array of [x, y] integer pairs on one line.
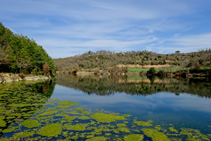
{"points": [[102, 108]]}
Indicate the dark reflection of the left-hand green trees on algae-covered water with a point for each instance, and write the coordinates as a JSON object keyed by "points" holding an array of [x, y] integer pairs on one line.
{"points": [[20, 101]]}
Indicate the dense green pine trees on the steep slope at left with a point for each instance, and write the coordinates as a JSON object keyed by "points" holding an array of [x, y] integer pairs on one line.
{"points": [[18, 54]]}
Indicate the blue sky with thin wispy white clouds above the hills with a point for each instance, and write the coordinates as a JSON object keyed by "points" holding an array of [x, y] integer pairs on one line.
{"points": [[72, 27]]}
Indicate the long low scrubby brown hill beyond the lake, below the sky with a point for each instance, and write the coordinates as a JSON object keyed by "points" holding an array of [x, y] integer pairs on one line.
{"points": [[107, 59]]}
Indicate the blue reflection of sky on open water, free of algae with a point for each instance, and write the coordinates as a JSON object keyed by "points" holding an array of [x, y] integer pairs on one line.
{"points": [[166, 108]]}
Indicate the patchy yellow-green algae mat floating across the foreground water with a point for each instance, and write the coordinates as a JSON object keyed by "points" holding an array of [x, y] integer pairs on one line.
{"points": [[32, 116]]}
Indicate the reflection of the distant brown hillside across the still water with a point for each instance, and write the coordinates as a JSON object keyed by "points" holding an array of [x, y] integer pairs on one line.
{"points": [[108, 86]]}
